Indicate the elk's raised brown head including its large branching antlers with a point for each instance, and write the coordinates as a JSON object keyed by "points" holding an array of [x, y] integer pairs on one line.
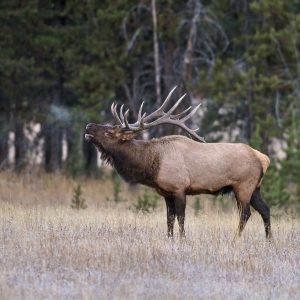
{"points": [[104, 136]]}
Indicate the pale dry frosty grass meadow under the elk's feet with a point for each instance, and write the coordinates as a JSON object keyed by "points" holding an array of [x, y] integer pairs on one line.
{"points": [[49, 251]]}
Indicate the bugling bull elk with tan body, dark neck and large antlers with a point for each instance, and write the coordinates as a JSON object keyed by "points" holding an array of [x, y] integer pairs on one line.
{"points": [[177, 166]]}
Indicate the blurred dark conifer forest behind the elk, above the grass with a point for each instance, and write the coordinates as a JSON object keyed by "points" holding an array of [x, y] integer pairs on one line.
{"points": [[62, 64]]}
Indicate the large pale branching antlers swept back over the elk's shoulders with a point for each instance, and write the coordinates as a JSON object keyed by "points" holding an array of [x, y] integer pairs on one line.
{"points": [[157, 117]]}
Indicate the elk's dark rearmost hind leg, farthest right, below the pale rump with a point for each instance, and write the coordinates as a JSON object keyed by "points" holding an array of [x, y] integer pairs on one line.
{"points": [[263, 209]]}
